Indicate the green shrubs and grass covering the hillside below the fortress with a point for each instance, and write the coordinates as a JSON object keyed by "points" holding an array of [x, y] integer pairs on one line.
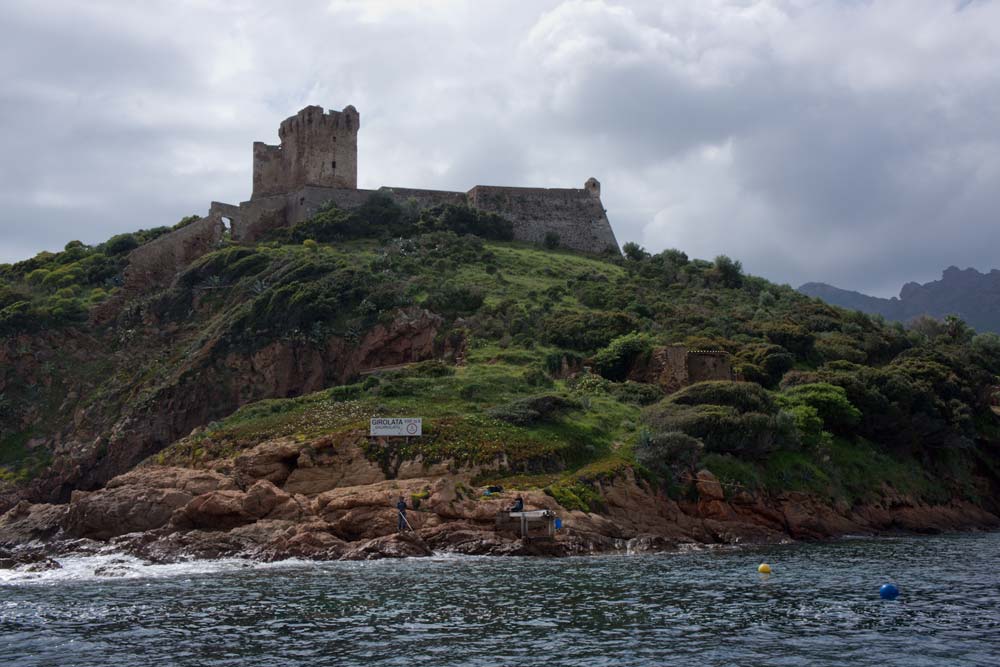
{"points": [[835, 403]]}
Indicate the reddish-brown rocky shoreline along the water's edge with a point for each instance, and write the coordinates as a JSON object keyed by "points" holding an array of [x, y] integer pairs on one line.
{"points": [[253, 508]]}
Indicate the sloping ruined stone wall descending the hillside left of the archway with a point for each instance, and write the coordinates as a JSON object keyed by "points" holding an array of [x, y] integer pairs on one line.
{"points": [[158, 262]]}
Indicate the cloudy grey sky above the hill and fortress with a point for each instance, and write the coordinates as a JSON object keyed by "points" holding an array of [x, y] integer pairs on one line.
{"points": [[852, 142]]}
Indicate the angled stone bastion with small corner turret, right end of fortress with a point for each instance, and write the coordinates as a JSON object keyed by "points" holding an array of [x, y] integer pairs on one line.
{"points": [[577, 216]]}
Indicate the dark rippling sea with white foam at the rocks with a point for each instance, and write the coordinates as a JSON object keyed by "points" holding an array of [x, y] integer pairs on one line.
{"points": [[820, 606]]}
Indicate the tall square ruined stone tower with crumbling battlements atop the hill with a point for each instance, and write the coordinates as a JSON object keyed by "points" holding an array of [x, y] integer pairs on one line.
{"points": [[316, 148]]}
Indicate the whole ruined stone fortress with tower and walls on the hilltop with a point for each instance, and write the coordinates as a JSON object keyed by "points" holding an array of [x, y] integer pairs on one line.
{"points": [[316, 163]]}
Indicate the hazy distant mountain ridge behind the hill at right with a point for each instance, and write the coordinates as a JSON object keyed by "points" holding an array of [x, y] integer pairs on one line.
{"points": [[973, 296]]}
